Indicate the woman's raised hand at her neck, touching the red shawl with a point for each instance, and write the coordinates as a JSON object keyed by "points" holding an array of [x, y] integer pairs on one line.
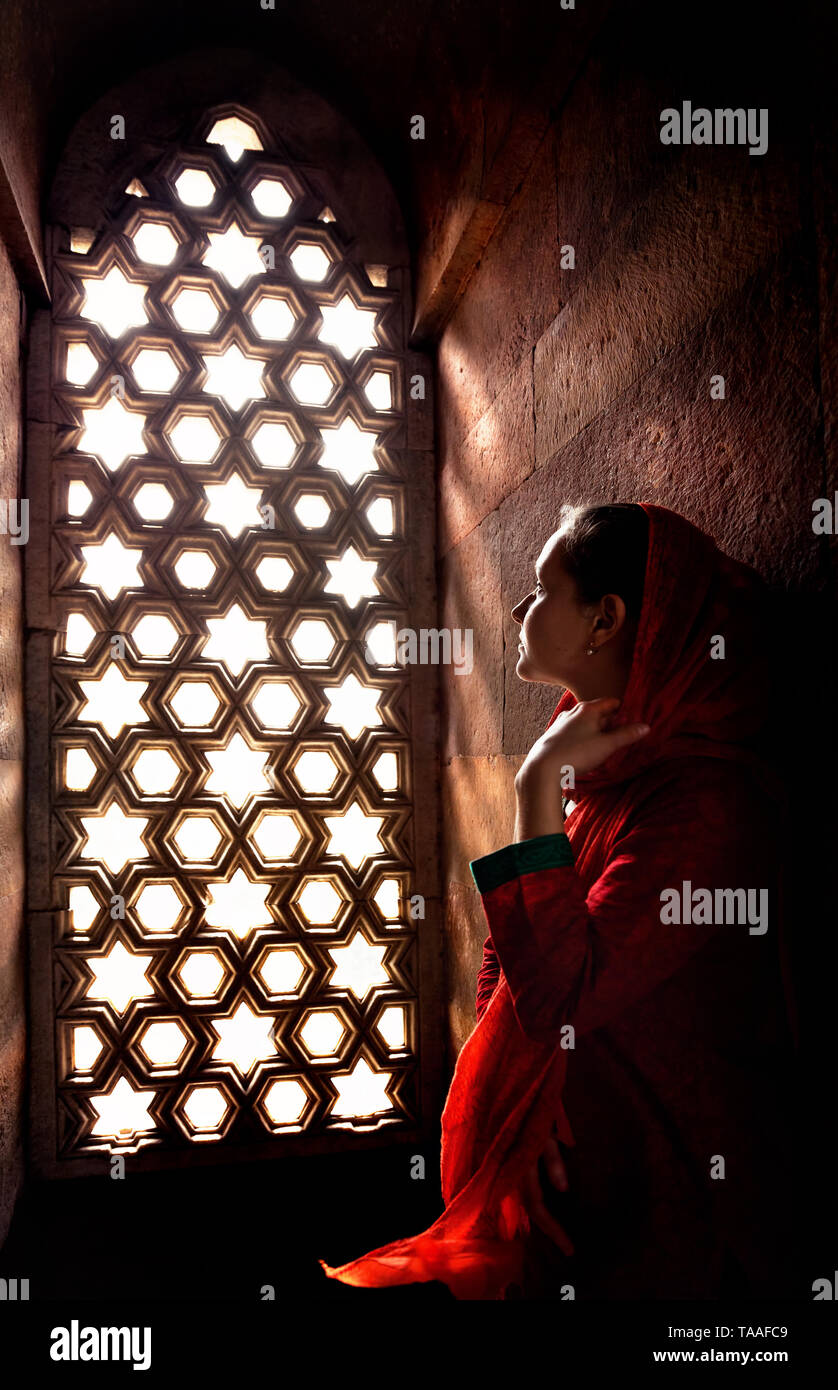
{"points": [[580, 739]]}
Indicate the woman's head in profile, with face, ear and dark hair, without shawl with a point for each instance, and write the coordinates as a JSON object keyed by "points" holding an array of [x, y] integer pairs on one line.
{"points": [[580, 621]]}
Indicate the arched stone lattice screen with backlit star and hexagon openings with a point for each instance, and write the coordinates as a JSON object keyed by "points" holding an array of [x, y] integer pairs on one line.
{"points": [[233, 951]]}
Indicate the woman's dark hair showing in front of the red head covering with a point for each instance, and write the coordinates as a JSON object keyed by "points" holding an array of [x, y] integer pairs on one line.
{"points": [[605, 551]]}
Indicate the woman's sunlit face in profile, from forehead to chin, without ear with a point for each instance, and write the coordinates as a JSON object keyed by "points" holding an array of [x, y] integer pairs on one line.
{"points": [[555, 629]]}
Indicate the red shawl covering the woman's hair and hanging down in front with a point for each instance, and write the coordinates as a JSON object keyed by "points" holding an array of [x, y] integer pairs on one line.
{"points": [[507, 1090]]}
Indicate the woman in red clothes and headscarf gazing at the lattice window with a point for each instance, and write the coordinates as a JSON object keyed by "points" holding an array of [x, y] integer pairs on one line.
{"points": [[630, 1004]]}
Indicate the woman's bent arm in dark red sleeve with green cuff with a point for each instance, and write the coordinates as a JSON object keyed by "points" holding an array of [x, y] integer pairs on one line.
{"points": [[583, 958]]}
